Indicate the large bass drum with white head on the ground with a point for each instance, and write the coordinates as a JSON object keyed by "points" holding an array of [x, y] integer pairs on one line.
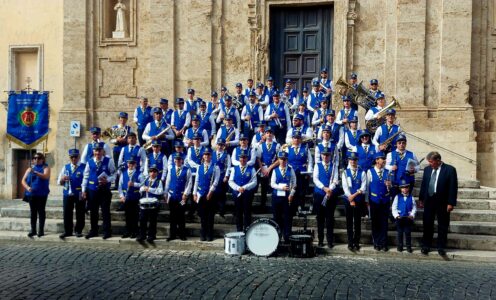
{"points": [[262, 237]]}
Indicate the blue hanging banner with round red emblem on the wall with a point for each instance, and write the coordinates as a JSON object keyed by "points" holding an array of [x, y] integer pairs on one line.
{"points": [[27, 118]]}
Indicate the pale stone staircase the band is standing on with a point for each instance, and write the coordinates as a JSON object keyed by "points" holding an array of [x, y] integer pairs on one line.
{"points": [[472, 227]]}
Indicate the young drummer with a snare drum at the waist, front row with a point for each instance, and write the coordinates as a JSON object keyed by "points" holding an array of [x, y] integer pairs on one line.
{"points": [[151, 188]]}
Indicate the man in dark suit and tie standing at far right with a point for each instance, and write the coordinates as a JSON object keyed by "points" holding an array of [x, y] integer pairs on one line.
{"points": [[438, 194]]}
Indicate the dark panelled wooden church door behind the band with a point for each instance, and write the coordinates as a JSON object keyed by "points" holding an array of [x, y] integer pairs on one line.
{"points": [[300, 43]]}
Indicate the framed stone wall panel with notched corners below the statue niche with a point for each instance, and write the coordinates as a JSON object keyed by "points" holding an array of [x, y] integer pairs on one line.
{"points": [[117, 77]]}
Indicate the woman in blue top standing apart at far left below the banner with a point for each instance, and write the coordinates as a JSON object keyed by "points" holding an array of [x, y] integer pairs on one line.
{"points": [[35, 182]]}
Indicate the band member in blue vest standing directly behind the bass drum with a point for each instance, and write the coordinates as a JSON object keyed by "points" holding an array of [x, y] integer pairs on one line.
{"points": [[283, 183]]}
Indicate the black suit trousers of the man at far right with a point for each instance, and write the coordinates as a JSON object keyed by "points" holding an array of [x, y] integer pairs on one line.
{"points": [[434, 207]]}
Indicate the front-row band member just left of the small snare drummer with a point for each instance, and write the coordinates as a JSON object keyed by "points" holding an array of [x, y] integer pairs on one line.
{"points": [[129, 185]]}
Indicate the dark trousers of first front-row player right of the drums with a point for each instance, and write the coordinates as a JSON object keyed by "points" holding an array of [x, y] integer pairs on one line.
{"points": [[325, 215]]}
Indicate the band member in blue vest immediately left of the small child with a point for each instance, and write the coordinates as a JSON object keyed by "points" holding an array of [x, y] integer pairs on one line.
{"points": [[377, 178]]}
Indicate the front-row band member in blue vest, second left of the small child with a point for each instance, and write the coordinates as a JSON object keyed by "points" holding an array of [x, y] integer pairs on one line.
{"points": [[354, 181]]}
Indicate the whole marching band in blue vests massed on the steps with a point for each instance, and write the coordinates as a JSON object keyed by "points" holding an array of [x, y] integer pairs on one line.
{"points": [[193, 155]]}
